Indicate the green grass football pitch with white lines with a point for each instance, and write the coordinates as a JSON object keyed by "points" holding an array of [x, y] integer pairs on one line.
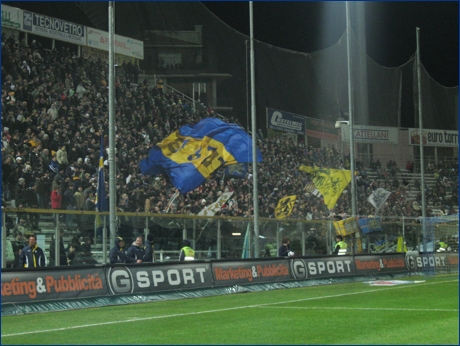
{"points": [[352, 313]]}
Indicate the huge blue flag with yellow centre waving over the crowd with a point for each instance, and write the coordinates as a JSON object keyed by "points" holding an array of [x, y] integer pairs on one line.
{"points": [[190, 155]]}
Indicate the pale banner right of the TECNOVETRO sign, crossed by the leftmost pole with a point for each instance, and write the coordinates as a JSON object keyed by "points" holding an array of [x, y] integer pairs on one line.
{"points": [[123, 45]]}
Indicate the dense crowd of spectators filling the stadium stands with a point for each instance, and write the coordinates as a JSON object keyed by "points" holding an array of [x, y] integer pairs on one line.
{"points": [[55, 109]]}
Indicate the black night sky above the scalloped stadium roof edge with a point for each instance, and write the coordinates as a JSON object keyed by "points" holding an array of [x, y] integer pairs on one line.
{"points": [[390, 29]]}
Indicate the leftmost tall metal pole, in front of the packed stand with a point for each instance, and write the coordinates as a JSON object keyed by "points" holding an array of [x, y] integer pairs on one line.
{"points": [[111, 159]]}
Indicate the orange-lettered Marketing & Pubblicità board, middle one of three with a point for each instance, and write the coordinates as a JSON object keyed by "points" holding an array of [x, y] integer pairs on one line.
{"points": [[250, 272]]}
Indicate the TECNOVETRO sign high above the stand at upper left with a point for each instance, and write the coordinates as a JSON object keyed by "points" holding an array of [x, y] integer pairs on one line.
{"points": [[54, 28]]}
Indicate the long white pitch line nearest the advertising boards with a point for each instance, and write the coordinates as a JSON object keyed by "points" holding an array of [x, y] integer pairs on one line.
{"points": [[137, 319]]}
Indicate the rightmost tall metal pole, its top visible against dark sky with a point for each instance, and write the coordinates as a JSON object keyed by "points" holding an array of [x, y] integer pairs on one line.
{"points": [[420, 124]]}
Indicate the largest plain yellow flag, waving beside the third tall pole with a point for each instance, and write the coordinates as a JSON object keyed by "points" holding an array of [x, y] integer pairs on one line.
{"points": [[329, 182]]}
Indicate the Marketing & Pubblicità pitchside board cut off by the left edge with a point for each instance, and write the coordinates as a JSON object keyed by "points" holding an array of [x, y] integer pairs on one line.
{"points": [[32, 285]]}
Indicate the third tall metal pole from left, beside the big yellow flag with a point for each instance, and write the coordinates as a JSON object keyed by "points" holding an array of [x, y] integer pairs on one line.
{"points": [[350, 113]]}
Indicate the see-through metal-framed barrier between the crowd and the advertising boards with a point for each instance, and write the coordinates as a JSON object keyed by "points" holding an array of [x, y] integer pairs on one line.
{"points": [[212, 237]]}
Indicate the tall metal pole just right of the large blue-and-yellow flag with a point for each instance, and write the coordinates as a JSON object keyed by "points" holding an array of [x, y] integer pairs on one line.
{"points": [[255, 192]]}
